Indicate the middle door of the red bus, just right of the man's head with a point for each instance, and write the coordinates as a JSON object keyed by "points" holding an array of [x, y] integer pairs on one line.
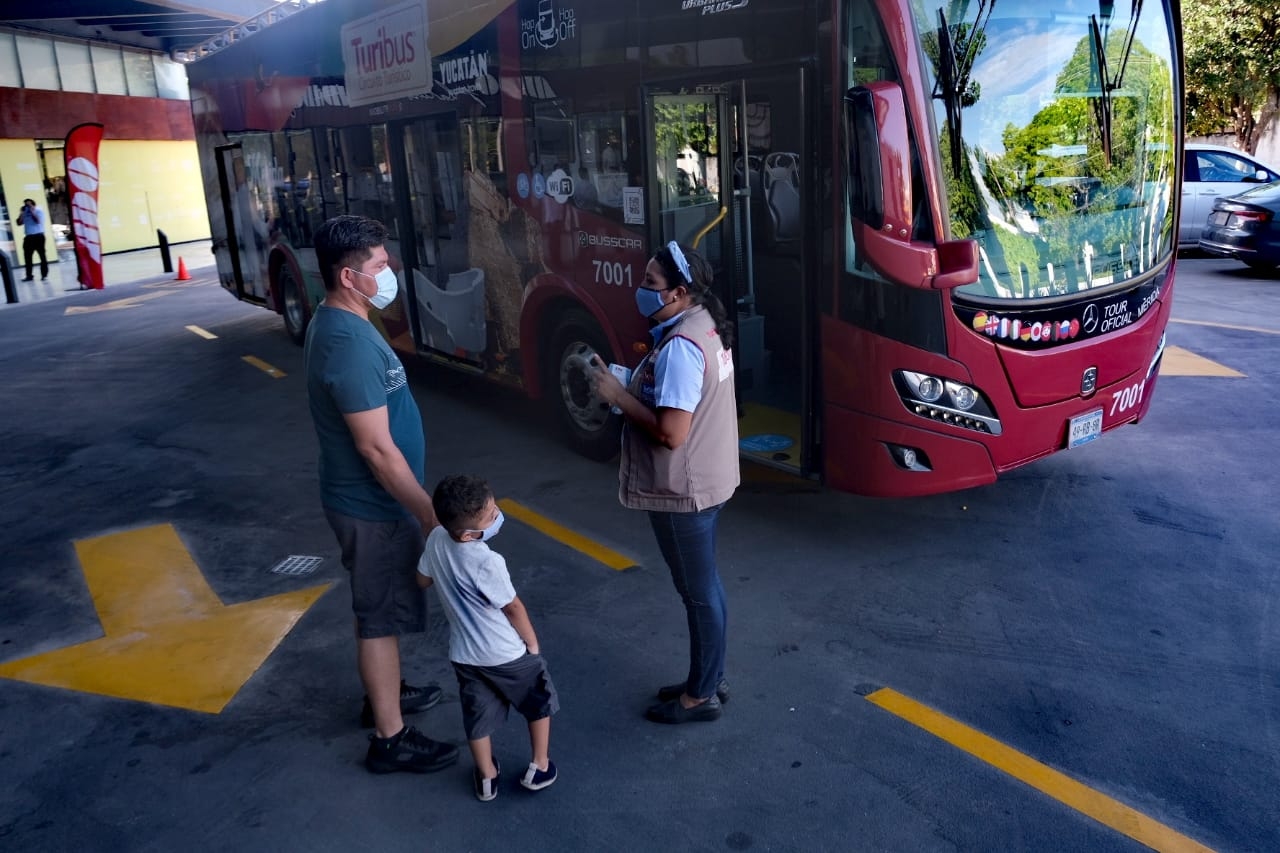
{"points": [[447, 295]]}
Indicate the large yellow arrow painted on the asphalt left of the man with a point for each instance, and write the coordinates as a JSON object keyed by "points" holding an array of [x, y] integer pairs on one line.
{"points": [[167, 636]]}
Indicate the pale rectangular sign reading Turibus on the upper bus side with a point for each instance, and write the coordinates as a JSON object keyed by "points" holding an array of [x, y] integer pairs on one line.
{"points": [[386, 54]]}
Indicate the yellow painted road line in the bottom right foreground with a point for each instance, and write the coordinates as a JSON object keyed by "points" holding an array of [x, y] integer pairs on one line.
{"points": [[1060, 787]]}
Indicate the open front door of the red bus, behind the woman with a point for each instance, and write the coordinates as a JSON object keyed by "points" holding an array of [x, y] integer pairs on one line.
{"points": [[726, 176]]}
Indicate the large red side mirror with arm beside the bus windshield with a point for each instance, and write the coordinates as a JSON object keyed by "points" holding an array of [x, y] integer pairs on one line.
{"points": [[880, 195]]}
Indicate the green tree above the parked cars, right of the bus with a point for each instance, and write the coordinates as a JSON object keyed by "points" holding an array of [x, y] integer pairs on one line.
{"points": [[1233, 67]]}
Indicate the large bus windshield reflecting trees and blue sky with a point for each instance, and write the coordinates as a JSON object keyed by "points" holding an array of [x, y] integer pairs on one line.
{"points": [[1057, 127]]}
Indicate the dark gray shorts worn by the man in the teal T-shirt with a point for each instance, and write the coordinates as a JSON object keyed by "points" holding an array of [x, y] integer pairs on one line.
{"points": [[382, 558]]}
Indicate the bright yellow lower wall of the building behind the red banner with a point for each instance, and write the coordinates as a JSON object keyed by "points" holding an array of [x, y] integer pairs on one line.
{"points": [[144, 186]]}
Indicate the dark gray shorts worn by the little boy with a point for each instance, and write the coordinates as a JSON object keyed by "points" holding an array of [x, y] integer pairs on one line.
{"points": [[490, 692]]}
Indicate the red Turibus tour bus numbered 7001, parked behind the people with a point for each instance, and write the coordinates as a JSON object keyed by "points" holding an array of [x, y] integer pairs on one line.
{"points": [[947, 226]]}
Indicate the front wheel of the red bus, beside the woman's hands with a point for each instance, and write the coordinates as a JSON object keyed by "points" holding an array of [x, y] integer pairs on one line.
{"points": [[586, 419]]}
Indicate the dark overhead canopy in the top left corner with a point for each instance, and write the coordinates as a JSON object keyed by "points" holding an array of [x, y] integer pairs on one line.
{"points": [[170, 26]]}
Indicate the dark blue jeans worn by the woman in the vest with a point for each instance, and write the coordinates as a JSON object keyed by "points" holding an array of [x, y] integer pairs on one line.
{"points": [[688, 544]]}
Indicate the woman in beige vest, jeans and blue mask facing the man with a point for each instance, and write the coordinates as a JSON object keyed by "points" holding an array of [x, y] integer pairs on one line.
{"points": [[680, 459]]}
